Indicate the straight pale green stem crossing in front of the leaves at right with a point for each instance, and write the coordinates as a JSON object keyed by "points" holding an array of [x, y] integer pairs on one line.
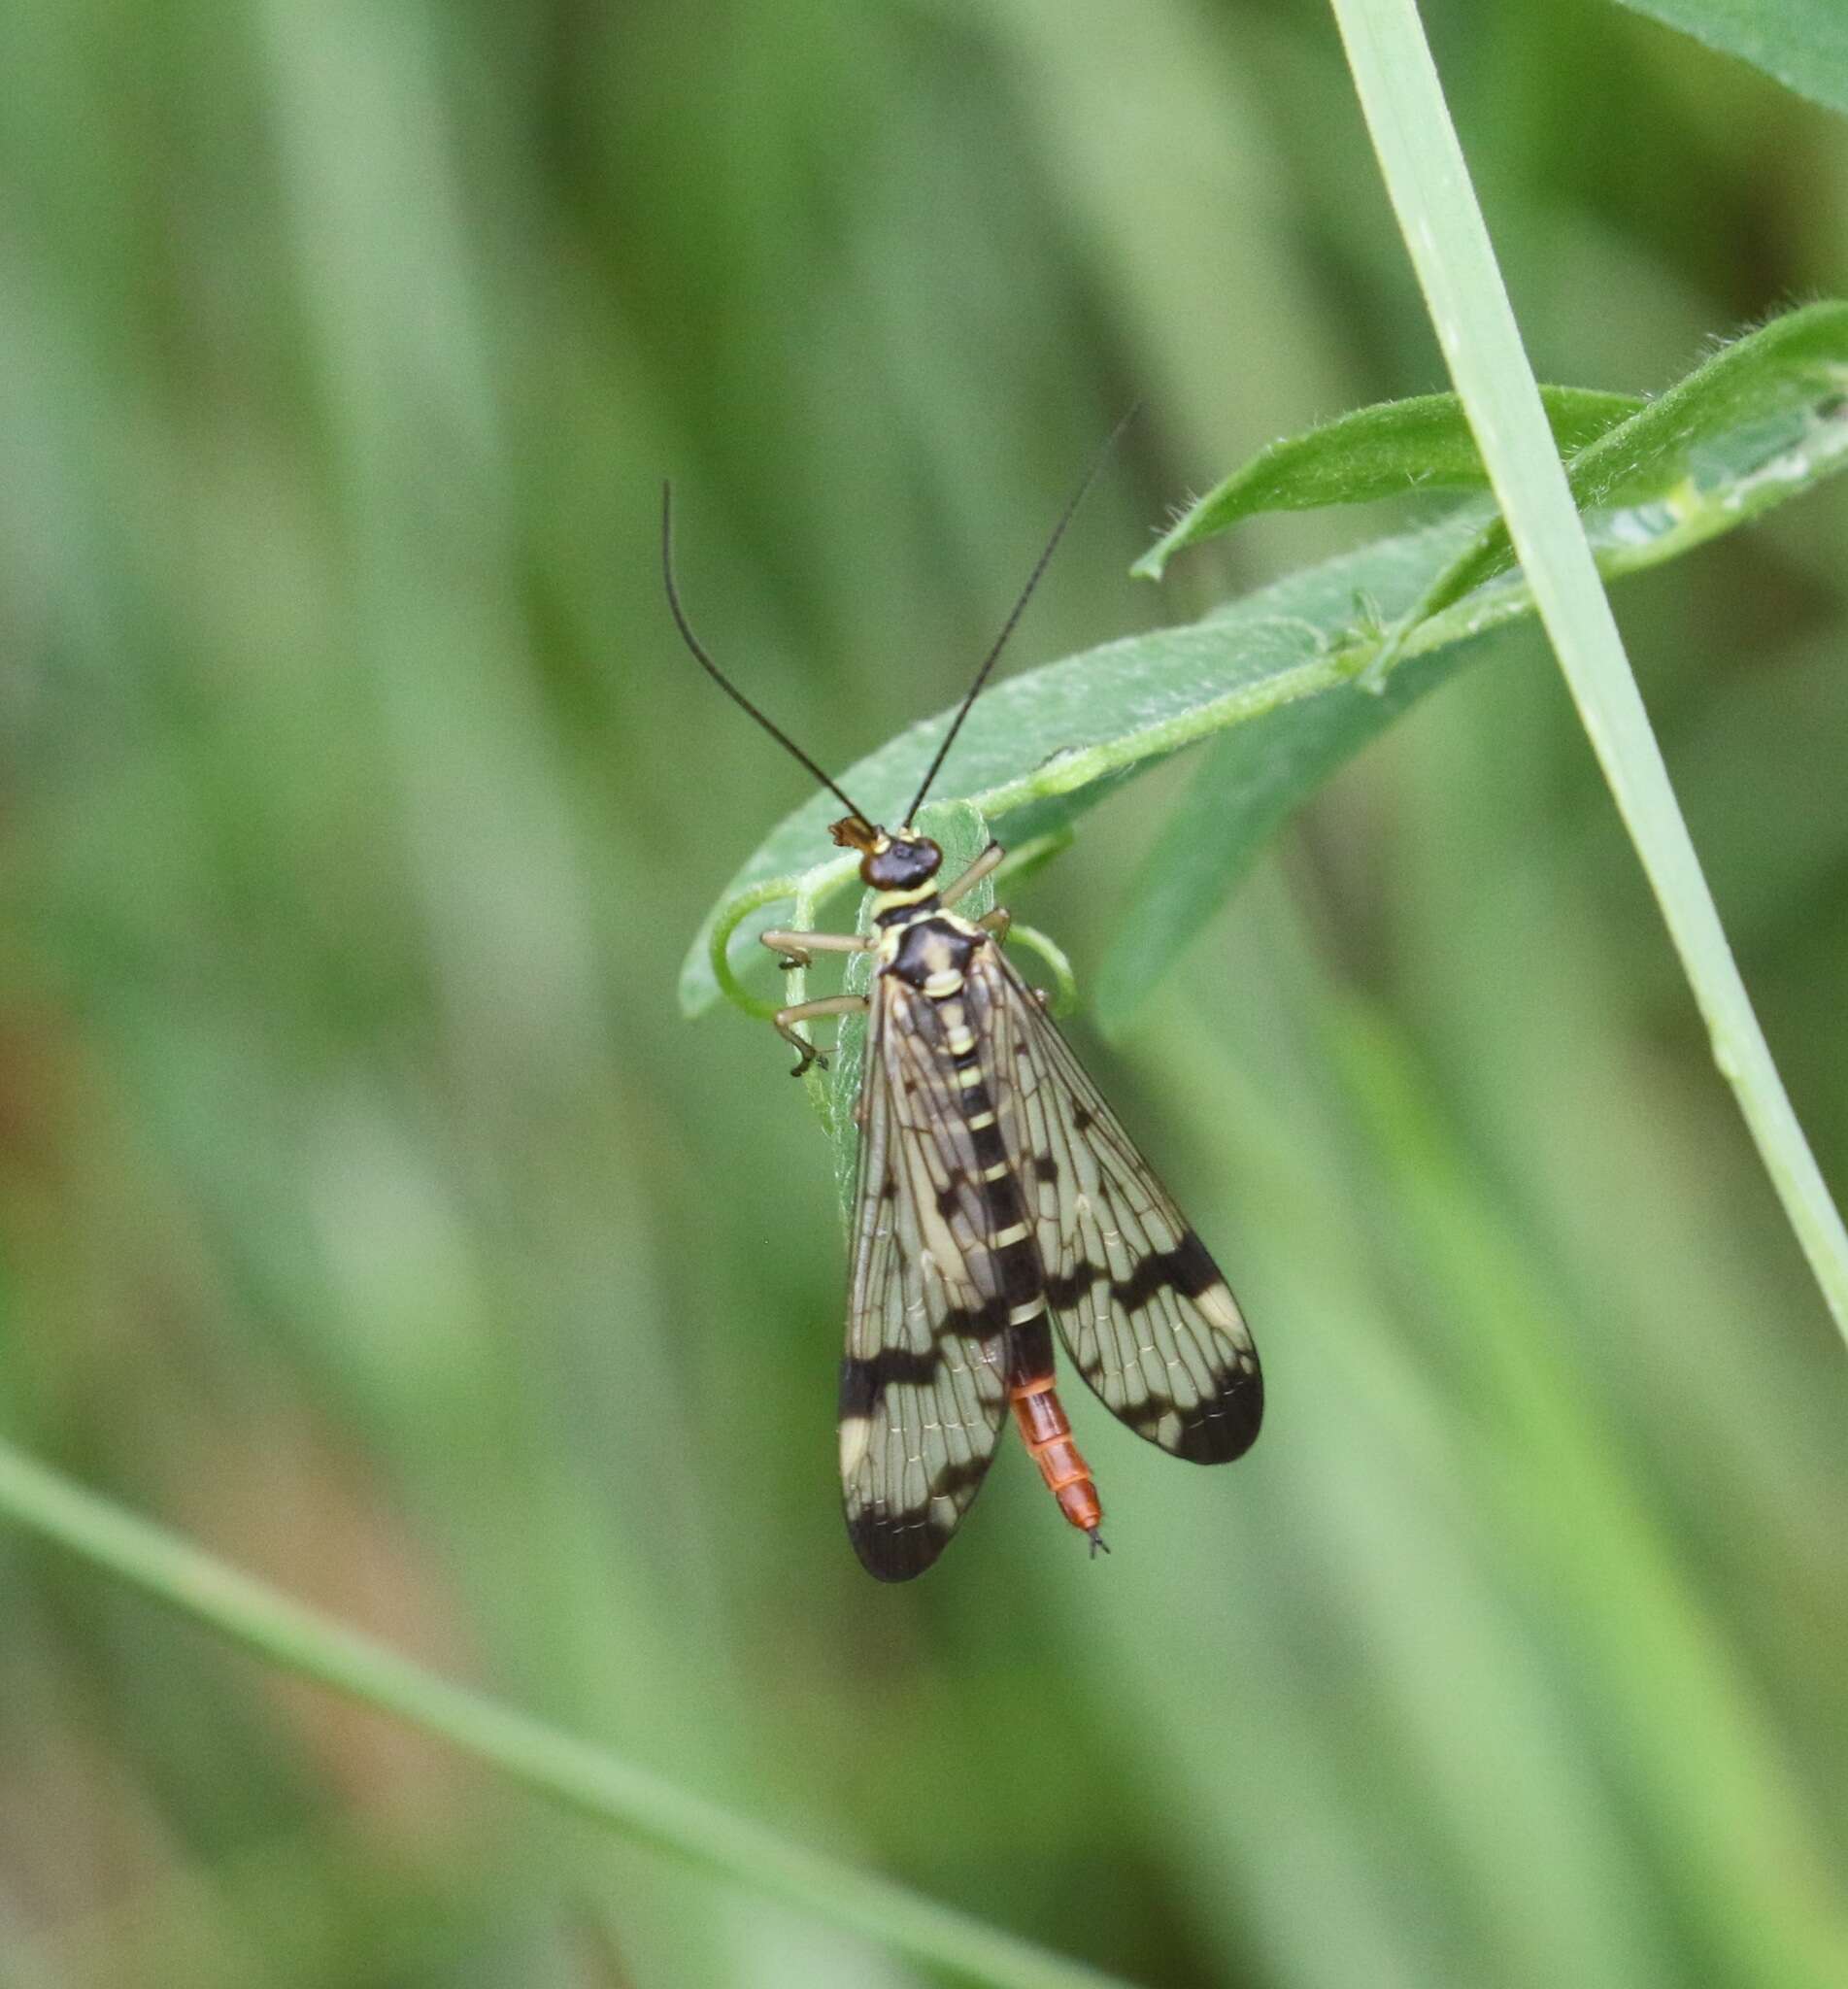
{"points": [[1463, 287]]}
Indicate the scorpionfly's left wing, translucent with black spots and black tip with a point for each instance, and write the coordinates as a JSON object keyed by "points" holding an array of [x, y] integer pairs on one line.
{"points": [[924, 1389]]}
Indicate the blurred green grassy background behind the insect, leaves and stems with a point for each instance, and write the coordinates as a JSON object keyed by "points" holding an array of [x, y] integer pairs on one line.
{"points": [[371, 1214]]}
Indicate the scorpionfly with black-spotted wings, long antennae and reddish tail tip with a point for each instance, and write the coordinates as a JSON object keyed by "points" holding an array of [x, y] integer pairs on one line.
{"points": [[998, 1196]]}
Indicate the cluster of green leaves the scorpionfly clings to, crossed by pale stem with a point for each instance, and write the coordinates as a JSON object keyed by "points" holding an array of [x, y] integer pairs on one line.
{"points": [[1757, 425]]}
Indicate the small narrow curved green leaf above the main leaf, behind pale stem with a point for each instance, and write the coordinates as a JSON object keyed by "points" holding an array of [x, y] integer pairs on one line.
{"points": [[1376, 452]]}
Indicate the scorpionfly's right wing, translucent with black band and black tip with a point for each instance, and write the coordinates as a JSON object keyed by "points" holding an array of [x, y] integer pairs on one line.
{"points": [[1141, 1306]]}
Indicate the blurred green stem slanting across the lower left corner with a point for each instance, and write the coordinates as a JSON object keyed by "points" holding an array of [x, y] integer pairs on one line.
{"points": [[526, 1751]]}
